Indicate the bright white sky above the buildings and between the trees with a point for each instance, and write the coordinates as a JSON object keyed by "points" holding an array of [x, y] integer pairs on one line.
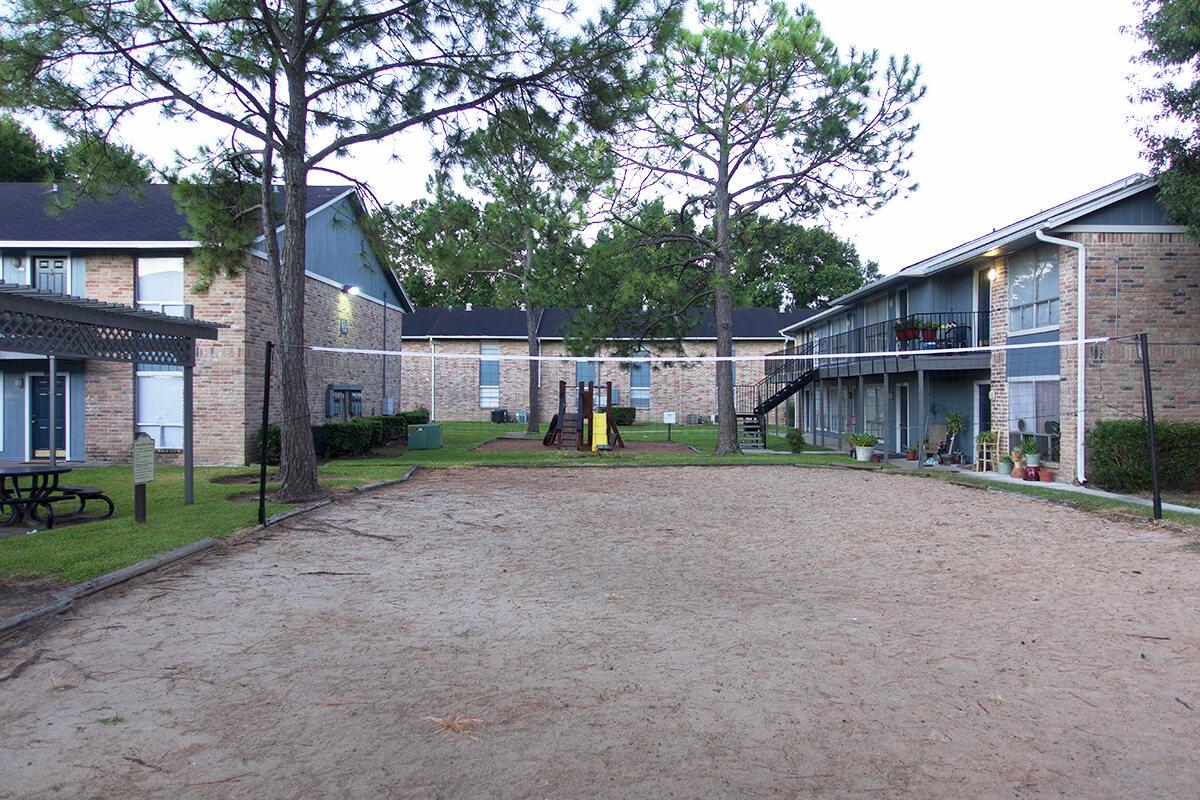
{"points": [[1028, 106]]}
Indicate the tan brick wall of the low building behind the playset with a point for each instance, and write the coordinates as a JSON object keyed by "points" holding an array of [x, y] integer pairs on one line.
{"points": [[681, 388]]}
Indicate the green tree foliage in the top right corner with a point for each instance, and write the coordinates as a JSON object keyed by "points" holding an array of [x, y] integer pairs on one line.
{"points": [[1171, 31]]}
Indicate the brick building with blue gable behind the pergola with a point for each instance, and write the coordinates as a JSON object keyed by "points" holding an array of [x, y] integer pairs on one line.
{"points": [[131, 250]]}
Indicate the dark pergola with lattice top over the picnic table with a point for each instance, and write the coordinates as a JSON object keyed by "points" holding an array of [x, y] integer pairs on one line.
{"points": [[58, 327]]}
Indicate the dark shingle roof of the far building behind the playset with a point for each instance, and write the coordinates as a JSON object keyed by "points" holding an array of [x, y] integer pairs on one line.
{"points": [[511, 323]]}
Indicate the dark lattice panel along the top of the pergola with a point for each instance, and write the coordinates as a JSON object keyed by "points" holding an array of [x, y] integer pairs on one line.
{"points": [[22, 333]]}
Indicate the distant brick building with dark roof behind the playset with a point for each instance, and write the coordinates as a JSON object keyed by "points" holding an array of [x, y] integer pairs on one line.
{"points": [[471, 388]]}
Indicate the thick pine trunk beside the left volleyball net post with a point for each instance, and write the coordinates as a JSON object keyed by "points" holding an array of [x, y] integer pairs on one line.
{"points": [[298, 461]]}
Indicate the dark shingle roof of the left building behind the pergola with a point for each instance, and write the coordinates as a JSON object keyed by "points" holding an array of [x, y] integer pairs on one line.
{"points": [[147, 215]]}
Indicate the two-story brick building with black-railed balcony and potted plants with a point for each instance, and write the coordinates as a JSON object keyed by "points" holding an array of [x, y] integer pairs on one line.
{"points": [[1019, 285]]}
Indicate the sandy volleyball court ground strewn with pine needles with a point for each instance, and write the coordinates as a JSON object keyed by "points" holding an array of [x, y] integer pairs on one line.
{"points": [[683, 633]]}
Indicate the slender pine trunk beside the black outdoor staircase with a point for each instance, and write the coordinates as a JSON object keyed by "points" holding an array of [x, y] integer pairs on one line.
{"points": [[723, 314]]}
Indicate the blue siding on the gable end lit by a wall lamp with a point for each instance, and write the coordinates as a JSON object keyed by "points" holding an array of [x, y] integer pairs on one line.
{"points": [[338, 250]]}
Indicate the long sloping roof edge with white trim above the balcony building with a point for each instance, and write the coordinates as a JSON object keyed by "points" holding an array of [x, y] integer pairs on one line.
{"points": [[993, 244]]}
